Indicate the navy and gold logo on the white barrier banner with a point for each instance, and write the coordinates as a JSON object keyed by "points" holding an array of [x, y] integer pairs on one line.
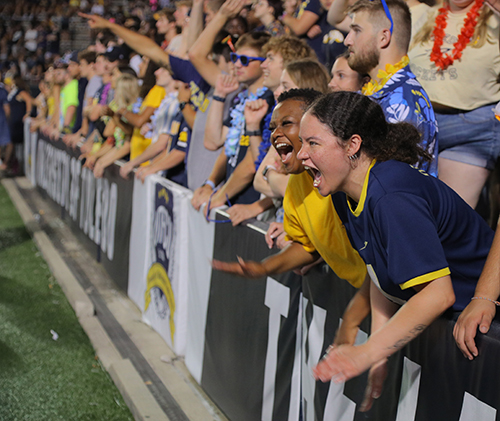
{"points": [[159, 288]]}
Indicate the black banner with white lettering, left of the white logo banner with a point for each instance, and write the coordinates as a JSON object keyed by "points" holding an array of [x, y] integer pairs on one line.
{"points": [[97, 210]]}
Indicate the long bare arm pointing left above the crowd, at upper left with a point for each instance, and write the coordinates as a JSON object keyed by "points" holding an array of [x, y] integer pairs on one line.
{"points": [[140, 43]]}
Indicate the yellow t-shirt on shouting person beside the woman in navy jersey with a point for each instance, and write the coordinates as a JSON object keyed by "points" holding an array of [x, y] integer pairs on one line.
{"points": [[311, 220]]}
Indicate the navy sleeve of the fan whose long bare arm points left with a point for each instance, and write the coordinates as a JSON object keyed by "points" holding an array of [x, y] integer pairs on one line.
{"points": [[184, 71]]}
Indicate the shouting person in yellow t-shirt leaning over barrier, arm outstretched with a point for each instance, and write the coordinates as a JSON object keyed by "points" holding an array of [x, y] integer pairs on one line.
{"points": [[322, 232]]}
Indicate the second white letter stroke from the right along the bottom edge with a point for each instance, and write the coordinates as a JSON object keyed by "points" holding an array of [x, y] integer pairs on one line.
{"points": [[408, 396]]}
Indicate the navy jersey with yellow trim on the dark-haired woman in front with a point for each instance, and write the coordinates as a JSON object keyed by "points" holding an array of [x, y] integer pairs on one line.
{"points": [[410, 228]]}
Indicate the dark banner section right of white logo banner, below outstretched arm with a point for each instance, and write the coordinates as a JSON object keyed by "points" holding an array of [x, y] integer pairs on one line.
{"points": [[251, 366]]}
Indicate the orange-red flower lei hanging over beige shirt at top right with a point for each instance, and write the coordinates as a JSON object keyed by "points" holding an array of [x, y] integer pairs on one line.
{"points": [[443, 61]]}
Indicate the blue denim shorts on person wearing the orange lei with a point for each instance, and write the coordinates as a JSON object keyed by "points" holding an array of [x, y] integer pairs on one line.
{"points": [[471, 137]]}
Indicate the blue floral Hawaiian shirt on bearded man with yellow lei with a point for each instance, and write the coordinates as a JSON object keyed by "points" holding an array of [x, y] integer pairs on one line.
{"points": [[403, 99]]}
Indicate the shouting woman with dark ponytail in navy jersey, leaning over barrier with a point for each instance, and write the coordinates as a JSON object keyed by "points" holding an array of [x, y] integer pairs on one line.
{"points": [[424, 247]]}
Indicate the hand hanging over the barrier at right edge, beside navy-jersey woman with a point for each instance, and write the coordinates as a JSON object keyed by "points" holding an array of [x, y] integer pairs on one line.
{"points": [[478, 314]]}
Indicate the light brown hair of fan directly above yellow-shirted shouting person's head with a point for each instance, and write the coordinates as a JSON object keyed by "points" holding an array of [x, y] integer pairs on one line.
{"points": [[308, 74]]}
